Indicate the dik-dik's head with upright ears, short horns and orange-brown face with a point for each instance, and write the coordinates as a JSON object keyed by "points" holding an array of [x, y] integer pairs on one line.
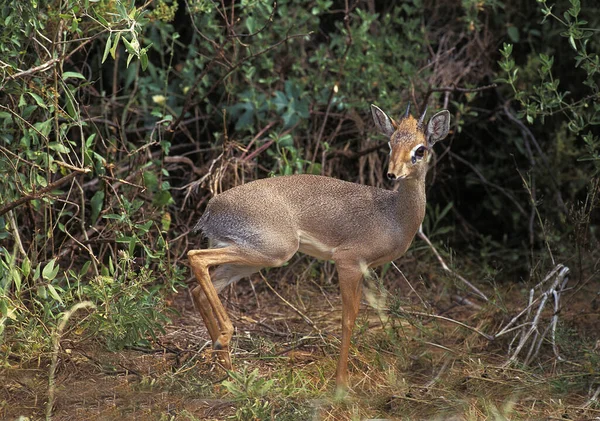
{"points": [[410, 140]]}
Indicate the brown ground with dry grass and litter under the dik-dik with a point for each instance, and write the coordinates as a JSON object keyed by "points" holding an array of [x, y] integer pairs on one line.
{"points": [[402, 366]]}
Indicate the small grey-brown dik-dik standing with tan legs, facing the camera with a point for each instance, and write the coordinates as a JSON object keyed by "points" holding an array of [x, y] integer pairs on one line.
{"points": [[265, 222]]}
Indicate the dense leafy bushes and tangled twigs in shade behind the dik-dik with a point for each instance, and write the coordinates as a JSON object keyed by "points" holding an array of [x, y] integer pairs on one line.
{"points": [[119, 120]]}
